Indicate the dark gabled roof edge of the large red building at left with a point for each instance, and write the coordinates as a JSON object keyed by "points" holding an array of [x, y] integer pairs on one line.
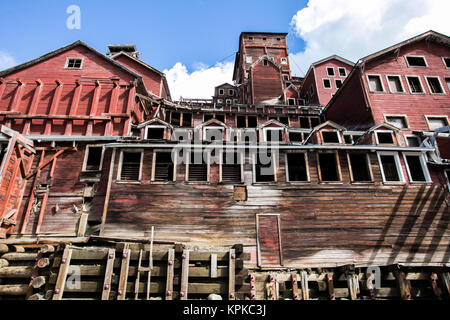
{"points": [[64, 49]]}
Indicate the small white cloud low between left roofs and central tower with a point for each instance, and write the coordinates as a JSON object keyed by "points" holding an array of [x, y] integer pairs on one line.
{"points": [[200, 83]]}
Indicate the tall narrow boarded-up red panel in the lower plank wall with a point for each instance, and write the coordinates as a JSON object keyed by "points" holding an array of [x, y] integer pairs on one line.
{"points": [[269, 246]]}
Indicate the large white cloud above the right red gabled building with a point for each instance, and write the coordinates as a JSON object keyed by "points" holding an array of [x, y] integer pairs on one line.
{"points": [[356, 28]]}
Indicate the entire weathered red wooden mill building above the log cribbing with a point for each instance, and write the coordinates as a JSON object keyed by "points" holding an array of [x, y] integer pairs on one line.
{"points": [[95, 147]]}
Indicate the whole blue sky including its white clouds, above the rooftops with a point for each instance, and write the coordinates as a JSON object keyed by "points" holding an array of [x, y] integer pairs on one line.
{"points": [[188, 40]]}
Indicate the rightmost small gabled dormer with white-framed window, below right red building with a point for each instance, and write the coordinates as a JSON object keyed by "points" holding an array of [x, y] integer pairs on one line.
{"points": [[383, 134]]}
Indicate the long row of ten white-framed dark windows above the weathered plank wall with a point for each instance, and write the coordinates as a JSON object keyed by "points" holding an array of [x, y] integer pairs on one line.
{"points": [[265, 167]]}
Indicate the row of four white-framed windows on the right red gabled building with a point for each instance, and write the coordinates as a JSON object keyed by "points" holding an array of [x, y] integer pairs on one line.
{"points": [[414, 84]]}
